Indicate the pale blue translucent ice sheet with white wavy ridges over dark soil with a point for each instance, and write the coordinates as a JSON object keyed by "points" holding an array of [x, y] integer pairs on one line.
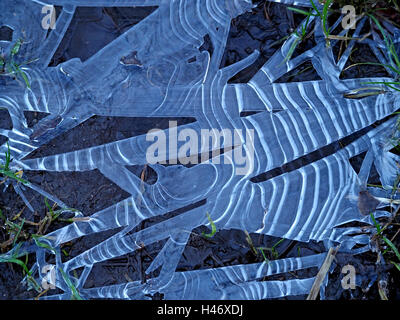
{"points": [[294, 121]]}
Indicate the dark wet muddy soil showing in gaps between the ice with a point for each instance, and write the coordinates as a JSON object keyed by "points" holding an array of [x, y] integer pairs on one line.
{"points": [[92, 29]]}
